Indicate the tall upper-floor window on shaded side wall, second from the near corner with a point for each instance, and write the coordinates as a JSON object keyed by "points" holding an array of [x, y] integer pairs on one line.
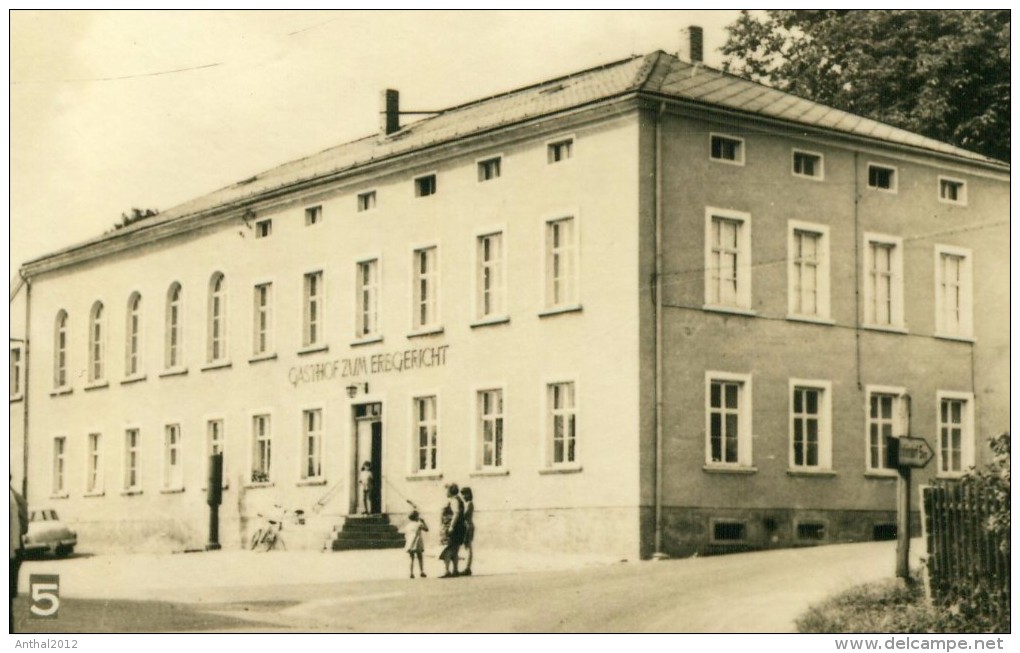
{"points": [[809, 271]]}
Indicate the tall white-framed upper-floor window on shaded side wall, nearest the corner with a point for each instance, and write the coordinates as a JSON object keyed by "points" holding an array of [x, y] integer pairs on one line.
{"points": [[728, 260]]}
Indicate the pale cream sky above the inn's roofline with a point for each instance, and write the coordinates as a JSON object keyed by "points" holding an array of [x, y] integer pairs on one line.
{"points": [[112, 111]]}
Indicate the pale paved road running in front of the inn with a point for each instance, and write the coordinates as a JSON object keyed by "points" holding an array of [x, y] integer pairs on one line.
{"points": [[744, 593]]}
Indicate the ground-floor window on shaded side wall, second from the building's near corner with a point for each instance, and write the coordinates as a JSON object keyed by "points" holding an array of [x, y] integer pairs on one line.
{"points": [[810, 428]]}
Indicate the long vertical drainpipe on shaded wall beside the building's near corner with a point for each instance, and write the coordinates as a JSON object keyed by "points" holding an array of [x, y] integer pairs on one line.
{"points": [[657, 289]]}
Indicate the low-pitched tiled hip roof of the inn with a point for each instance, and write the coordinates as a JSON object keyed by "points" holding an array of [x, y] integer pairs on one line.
{"points": [[658, 74]]}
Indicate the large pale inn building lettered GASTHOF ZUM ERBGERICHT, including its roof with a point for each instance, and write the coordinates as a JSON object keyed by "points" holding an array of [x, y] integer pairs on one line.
{"points": [[647, 308]]}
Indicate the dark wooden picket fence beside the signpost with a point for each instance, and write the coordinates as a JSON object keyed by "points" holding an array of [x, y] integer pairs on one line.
{"points": [[968, 565]]}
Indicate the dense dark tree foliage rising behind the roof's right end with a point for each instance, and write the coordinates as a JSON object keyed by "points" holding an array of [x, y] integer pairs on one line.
{"points": [[944, 74]]}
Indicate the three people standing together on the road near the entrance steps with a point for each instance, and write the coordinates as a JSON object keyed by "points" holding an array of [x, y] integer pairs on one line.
{"points": [[457, 531]]}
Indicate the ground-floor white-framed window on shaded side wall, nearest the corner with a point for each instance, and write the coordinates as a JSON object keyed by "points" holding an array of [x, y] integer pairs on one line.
{"points": [[729, 420]]}
